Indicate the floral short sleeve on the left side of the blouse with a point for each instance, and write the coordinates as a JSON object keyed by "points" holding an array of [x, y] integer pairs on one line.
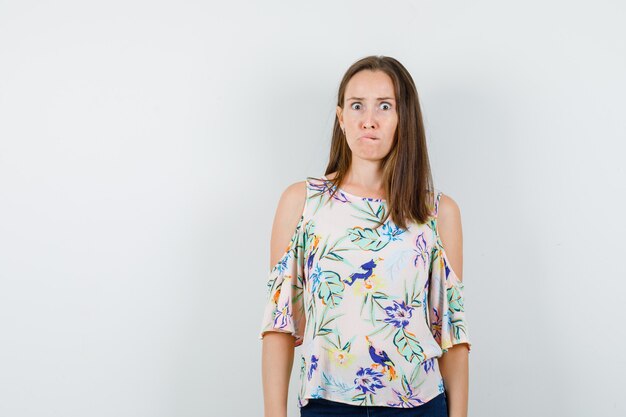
{"points": [[284, 307]]}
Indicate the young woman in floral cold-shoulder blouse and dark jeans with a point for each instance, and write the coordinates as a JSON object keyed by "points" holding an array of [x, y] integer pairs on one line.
{"points": [[359, 276]]}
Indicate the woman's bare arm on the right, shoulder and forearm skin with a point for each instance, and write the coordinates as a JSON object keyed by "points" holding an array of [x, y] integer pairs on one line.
{"points": [[454, 364]]}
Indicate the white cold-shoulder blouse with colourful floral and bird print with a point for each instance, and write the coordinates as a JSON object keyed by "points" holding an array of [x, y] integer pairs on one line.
{"points": [[370, 308]]}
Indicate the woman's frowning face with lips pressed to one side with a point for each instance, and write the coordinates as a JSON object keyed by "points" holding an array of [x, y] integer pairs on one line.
{"points": [[369, 114]]}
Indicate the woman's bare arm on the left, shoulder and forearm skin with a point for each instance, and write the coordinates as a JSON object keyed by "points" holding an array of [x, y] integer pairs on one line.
{"points": [[278, 347]]}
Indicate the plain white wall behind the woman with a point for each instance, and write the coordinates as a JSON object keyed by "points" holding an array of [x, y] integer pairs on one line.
{"points": [[144, 146]]}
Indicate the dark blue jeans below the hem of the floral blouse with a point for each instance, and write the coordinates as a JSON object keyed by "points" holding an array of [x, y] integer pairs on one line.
{"points": [[319, 407]]}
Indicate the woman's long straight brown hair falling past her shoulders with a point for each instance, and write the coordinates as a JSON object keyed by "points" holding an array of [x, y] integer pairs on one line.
{"points": [[407, 177]]}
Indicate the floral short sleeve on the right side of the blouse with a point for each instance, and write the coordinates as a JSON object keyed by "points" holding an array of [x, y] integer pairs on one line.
{"points": [[445, 297]]}
